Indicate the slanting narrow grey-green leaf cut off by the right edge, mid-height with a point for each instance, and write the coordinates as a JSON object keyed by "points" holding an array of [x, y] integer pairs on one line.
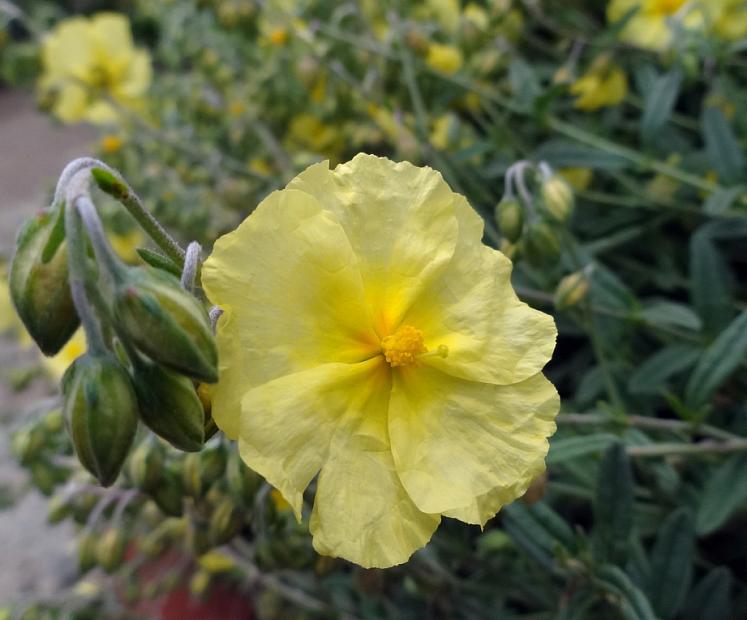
{"points": [[718, 362]]}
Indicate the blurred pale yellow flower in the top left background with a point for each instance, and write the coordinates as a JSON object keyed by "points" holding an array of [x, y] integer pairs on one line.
{"points": [[86, 61]]}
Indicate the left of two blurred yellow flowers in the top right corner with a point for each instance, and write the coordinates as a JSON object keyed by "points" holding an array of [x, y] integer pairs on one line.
{"points": [[649, 26]]}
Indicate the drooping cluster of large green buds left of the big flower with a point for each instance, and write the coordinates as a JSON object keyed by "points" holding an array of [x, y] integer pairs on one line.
{"points": [[154, 344]]}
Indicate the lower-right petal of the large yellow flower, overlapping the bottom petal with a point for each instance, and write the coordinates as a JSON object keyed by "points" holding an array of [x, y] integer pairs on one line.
{"points": [[454, 441]]}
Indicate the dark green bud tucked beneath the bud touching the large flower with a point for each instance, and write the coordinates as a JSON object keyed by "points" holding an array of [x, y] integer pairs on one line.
{"points": [[169, 406]]}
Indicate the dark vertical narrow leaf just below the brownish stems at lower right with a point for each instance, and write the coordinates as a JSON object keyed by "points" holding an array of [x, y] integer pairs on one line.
{"points": [[613, 506]]}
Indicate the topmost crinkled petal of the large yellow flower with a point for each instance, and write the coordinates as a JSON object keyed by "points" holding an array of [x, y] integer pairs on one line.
{"points": [[400, 221]]}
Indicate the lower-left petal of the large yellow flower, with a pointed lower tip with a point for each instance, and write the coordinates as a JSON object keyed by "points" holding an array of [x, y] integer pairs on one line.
{"points": [[287, 424]]}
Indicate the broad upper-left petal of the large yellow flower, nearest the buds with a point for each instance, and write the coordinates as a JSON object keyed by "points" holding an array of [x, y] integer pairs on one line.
{"points": [[289, 282]]}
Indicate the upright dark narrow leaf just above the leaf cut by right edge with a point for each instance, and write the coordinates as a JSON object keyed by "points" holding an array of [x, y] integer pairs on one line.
{"points": [[710, 289]]}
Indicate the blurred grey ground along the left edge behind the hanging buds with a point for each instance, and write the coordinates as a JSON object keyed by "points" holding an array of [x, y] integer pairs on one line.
{"points": [[36, 558]]}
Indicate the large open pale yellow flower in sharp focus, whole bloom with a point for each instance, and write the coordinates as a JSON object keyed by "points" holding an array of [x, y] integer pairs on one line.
{"points": [[369, 337]]}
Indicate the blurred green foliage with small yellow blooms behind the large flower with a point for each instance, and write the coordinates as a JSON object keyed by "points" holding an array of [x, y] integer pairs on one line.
{"points": [[643, 510]]}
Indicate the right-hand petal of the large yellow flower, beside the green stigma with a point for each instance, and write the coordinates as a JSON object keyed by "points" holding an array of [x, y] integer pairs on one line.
{"points": [[471, 308]]}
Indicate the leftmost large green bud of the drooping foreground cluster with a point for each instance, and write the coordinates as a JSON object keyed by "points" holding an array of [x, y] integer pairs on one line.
{"points": [[39, 284]]}
